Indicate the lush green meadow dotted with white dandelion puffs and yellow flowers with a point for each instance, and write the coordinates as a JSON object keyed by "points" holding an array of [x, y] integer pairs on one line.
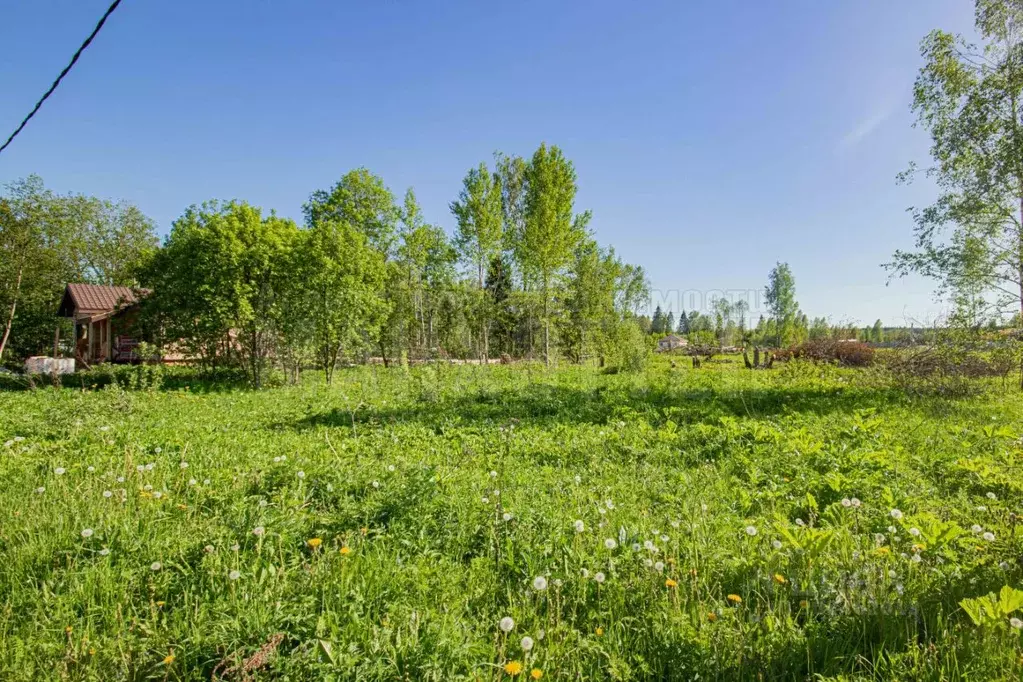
{"points": [[721, 524]]}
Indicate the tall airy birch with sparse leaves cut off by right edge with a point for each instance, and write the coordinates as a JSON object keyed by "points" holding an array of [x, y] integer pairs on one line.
{"points": [[969, 100]]}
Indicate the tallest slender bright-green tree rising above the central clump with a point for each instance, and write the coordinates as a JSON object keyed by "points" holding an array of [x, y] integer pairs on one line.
{"points": [[552, 232]]}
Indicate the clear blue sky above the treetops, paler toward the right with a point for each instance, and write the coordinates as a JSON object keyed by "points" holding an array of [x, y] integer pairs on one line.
{"points": [[711, 140]]}
